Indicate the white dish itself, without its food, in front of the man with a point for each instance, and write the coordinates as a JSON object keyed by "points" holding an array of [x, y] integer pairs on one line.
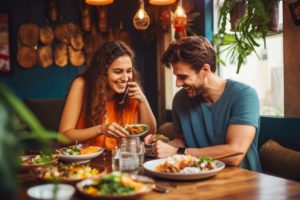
{"points": [[151, 165]]}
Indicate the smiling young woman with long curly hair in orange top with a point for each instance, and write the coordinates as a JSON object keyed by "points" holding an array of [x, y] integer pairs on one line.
{"points": [[93, 112]]}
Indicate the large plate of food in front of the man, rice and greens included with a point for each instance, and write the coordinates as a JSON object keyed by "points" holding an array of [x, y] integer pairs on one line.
{"points": [[184, 167]]}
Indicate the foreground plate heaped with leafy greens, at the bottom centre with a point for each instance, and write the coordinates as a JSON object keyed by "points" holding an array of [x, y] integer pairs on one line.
{"points": [[116, 185]]}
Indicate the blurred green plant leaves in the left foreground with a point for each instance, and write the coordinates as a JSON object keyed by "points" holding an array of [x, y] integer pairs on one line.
{"points": [[14, 116]]}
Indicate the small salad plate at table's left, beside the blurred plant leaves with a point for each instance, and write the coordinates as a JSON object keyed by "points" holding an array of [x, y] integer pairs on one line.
{"points": [[32, 161]]}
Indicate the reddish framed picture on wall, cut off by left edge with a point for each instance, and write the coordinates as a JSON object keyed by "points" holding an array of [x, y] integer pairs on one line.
{"points": [[4, 43]]}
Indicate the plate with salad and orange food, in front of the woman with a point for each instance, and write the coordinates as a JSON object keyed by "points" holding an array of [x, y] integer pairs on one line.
{"points": [[78, 153]]}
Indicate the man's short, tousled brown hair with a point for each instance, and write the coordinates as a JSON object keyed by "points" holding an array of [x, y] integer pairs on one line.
{"points": [[193, 50]]}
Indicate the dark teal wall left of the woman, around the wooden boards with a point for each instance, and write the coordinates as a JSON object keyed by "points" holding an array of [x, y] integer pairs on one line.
{"points": [[35, 83]]}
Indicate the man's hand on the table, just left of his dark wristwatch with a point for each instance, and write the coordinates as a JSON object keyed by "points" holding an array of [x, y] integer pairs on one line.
{"points": [[163, 150]]}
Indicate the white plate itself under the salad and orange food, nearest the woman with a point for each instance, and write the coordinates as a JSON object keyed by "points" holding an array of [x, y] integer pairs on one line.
{"points": [[80, 158]]}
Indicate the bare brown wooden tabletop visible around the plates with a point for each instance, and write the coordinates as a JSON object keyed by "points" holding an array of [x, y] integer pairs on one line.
{"points": [[230, 183]]}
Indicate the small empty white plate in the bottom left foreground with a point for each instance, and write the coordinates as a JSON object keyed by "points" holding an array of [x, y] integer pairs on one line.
{"points": [[47, 191]]}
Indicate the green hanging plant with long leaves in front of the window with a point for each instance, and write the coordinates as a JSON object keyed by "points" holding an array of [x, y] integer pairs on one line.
{"points": [[252, 25]]}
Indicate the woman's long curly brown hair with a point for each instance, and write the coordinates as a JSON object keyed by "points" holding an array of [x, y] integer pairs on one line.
{"points": [[96, 80]]}
